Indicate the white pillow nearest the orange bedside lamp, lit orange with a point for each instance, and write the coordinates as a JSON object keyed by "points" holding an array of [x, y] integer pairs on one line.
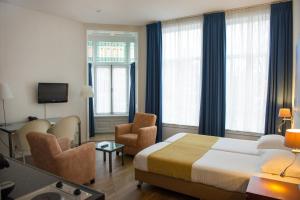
{"points": [[275, 161]]}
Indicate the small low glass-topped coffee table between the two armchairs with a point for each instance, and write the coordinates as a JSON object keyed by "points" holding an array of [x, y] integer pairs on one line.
{"points": [[109, 147]]}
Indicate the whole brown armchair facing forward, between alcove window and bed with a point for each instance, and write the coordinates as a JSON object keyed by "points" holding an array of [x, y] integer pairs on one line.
{"points": [[137, 135]]}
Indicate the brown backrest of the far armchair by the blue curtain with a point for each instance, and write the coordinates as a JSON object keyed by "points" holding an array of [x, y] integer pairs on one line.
{"points": [[142, 120]]}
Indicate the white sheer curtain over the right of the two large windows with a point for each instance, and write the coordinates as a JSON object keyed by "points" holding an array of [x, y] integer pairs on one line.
{"points": [[247, 64]]}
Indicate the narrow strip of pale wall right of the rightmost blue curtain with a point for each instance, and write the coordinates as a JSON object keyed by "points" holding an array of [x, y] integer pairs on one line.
{"points": [[296, 18]]}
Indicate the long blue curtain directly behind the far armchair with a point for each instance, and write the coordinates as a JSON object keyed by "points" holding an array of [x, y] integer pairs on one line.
{"points": [[154, 75]]}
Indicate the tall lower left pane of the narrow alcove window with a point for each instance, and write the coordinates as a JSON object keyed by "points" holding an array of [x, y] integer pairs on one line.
{"points": [[103, 90]]}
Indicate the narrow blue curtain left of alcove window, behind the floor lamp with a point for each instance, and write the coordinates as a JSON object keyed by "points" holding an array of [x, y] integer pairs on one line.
{"points": [[91, 103]]}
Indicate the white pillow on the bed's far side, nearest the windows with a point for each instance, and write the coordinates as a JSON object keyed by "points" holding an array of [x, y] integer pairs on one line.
{"points": [[271, 142]]}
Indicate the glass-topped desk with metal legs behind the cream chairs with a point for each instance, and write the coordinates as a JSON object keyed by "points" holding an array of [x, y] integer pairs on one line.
{"points": [[11, 128]]}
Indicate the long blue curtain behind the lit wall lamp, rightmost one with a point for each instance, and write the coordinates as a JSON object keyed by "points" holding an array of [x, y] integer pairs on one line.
{"points": [[280, 64]]}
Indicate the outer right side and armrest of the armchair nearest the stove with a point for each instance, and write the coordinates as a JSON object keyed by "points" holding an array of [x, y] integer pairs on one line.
{"points": [[78, 164]]}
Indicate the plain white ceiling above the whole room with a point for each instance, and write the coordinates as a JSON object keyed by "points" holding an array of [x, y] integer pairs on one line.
{"points": [[130, 12]]}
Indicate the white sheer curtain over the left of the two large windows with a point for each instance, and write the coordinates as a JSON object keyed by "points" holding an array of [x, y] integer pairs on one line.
{"points": [[181, 71]]}
